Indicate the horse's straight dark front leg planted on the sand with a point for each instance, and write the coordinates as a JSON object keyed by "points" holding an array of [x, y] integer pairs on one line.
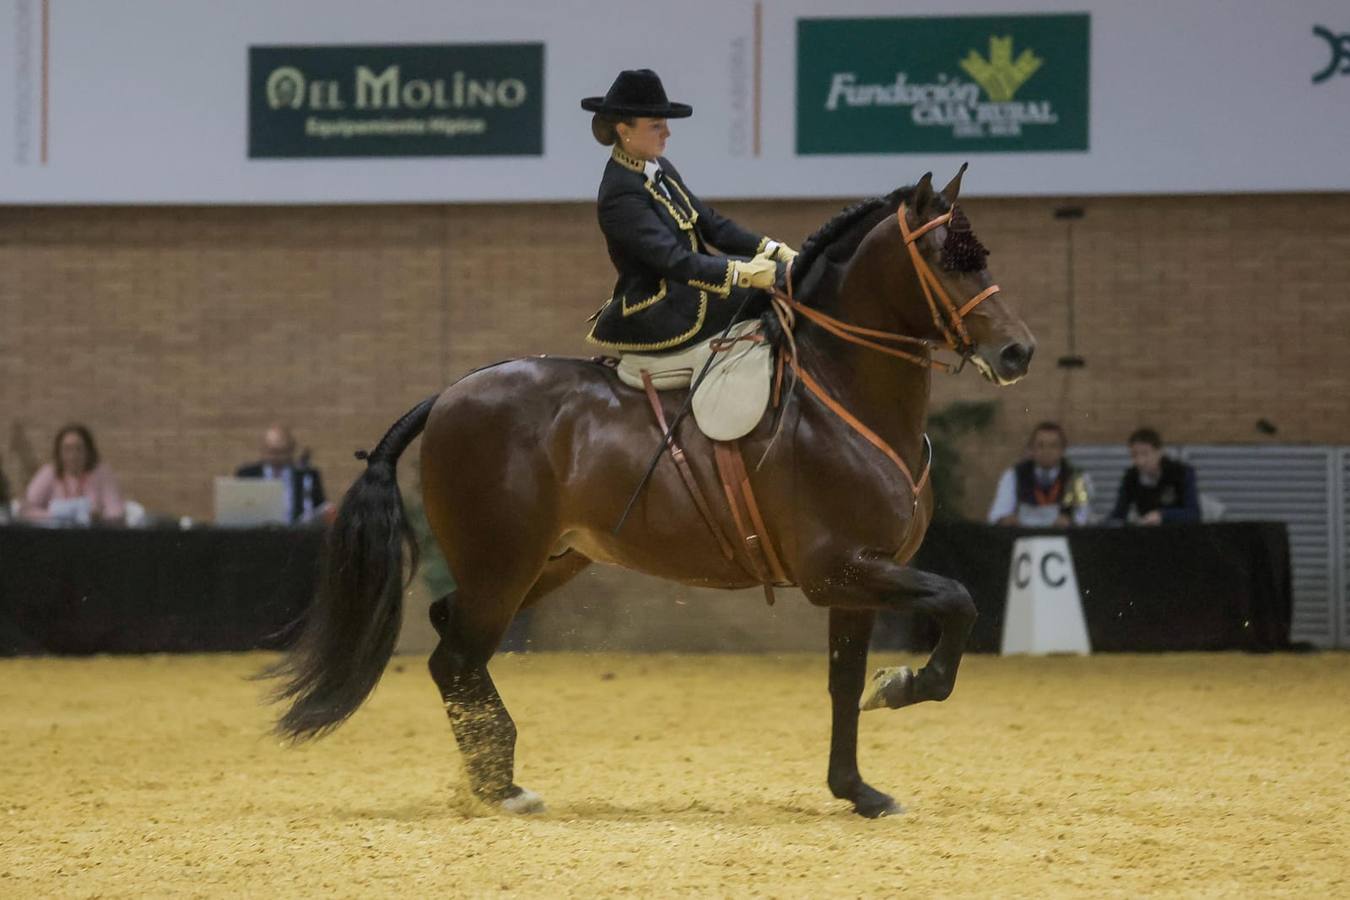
{"points": [[851, 632]]}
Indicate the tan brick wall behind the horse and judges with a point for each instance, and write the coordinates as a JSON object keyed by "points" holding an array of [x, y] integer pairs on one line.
{"points": [[178, 334]]}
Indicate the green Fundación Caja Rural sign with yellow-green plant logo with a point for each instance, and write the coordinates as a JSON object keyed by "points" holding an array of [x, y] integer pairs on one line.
{"points": [[943, 84]]}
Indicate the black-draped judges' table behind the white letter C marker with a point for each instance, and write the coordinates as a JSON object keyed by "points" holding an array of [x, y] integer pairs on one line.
{"points": [[1222, 586]]}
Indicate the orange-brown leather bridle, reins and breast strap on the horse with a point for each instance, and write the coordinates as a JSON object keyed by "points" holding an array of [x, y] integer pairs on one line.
{"points": [[947, 316]]}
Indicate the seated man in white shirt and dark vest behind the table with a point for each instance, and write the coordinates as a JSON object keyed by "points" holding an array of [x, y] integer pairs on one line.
{"points": [[1044, 489]]}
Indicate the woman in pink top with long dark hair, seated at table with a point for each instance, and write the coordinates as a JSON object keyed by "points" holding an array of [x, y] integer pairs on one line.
{"points": [[75, 488]]}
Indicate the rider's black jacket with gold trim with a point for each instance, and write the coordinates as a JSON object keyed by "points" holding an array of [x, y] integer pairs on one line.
{"points": [[673, 291]]}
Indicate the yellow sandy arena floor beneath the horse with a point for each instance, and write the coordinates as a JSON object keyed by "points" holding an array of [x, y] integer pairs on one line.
{"points": [[685, 775]]}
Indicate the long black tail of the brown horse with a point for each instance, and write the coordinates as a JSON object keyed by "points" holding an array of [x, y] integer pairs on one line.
{"points": [[353, 624]]}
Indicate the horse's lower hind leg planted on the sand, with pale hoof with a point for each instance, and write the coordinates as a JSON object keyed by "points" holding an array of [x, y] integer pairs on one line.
{"points": [[470, 631]]}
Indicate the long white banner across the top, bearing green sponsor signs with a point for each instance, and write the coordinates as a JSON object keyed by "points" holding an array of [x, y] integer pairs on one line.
{"points": [[168, 101]]}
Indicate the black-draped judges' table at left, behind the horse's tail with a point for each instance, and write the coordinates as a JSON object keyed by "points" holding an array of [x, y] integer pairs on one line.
{"points": [[153, 590]]}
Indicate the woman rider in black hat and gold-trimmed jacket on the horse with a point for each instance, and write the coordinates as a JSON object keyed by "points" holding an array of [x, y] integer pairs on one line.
{"points": [[684, 269]]}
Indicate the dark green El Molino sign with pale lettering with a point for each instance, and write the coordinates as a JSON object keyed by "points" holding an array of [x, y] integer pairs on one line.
{"points": [[403, 101]]}
